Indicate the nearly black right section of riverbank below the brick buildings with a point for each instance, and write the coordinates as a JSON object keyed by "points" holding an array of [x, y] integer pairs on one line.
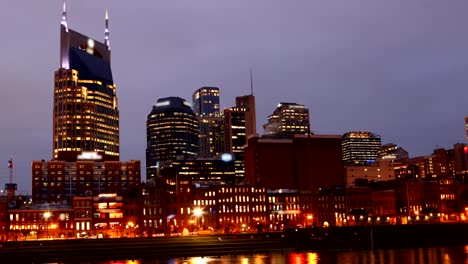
{"points": [[378, 236]]}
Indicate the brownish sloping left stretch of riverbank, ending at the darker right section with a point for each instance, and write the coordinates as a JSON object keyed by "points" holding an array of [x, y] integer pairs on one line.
{"points": [[79, 250]]}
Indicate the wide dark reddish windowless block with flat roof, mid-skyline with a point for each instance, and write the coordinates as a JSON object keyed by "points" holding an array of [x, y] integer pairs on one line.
{"points": [[305, 162]]}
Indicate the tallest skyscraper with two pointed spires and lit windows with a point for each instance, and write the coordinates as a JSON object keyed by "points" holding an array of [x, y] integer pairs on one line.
{"points": [[85, 112]]}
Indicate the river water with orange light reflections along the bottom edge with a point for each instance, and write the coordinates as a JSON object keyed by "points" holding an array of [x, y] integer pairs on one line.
{"points": [[441, 255]]}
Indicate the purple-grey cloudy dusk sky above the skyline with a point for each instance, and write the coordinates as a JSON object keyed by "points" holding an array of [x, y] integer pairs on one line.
{"points": [[397, 68]]}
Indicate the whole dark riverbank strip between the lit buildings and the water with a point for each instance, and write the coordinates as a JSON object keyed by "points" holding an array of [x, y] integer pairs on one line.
{"points": [[291, 240]]}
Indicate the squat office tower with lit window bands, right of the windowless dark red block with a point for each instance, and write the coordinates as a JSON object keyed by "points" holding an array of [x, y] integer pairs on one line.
{"points": [[360, 147]]}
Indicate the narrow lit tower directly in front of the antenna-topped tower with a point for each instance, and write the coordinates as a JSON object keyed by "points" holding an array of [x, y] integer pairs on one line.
{"points": [[235, 137]]}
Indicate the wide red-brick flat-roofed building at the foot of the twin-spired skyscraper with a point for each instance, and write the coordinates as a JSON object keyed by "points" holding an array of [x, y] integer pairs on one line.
{"points": [[59, 181]]}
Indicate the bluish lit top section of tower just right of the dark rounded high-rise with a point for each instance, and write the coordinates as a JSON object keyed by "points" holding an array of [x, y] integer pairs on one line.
{"points": [[206, 101]]}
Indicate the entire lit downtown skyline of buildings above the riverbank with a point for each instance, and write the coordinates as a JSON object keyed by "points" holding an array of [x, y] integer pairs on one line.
{"points": [[209, 170]]}
